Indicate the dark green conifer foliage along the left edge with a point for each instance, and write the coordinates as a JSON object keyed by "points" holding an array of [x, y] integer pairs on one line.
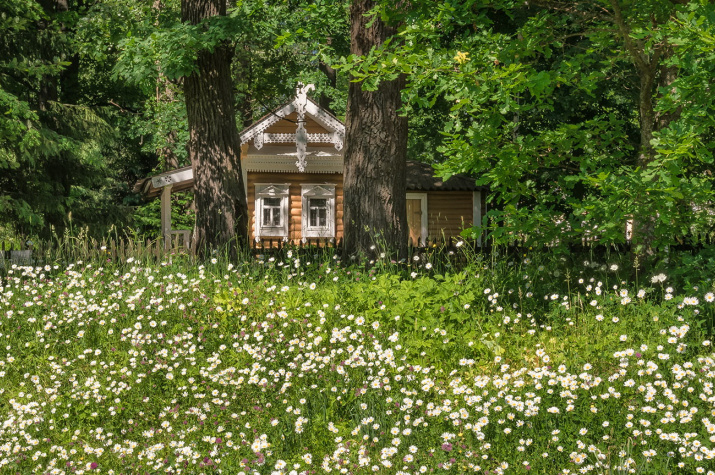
{"points": [[59, 145]]}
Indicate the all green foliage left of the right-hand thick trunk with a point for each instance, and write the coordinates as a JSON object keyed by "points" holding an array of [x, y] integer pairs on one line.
{"points": [[94, 97]]}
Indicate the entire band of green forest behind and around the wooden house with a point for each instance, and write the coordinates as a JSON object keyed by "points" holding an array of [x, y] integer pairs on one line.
{"points": [[579, 115]]}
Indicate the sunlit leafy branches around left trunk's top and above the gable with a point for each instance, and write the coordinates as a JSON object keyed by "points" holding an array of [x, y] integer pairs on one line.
{"points": [[272, 54]]}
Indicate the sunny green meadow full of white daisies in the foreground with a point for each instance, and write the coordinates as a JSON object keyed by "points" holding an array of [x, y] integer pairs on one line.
{"points": [[298, 364]]}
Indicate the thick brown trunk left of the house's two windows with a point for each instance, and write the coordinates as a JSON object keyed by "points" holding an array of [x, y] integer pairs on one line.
{"points": [[214, 143]]}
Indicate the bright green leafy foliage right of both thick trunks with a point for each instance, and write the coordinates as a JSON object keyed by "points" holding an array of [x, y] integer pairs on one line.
{"points": [[545, 109]]}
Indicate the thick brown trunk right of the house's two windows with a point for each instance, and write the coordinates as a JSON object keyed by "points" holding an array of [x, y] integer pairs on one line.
{"points": [[375, 215]]}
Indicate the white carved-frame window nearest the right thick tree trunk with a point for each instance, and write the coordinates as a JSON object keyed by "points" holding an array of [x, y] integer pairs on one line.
{"points": [[318, 216]]}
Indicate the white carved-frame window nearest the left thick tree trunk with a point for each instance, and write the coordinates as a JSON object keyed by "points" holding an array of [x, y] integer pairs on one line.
{"points": [[272, 211]]}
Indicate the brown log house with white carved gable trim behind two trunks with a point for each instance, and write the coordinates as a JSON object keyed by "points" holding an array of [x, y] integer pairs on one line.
{"points": [[292, 164]]}
